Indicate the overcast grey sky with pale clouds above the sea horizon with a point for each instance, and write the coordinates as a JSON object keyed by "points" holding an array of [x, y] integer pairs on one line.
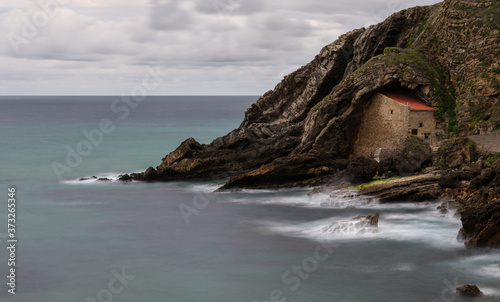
{"points": [[202, 47]]}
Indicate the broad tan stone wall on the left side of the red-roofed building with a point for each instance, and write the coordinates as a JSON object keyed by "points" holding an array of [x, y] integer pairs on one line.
{"points": [[384, 126]]}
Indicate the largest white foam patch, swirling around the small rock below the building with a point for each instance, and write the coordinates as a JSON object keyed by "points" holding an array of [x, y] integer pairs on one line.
{"points": [[413, 222]]}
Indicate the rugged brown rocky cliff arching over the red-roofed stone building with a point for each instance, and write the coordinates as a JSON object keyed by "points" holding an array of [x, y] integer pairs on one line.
{"points": [[303, 131]]}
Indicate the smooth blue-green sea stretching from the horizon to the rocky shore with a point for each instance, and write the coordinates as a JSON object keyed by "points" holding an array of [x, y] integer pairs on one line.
{"points": [[91, 240]]}
